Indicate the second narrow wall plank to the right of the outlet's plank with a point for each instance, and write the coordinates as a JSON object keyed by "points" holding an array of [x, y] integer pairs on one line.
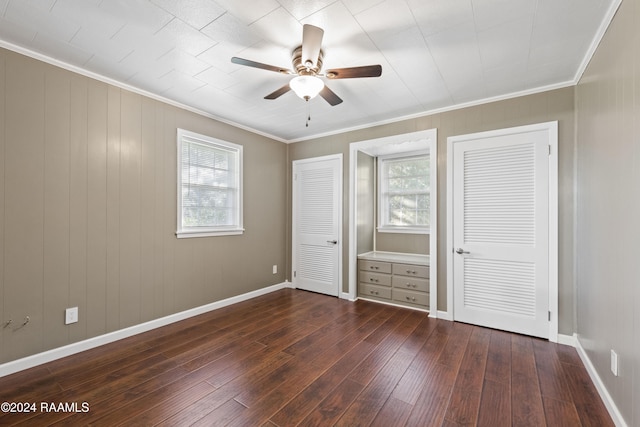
{"points": [[113, 209]]}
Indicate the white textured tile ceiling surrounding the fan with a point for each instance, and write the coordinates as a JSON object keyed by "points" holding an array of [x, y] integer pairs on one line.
{"points": [[435, 54]]}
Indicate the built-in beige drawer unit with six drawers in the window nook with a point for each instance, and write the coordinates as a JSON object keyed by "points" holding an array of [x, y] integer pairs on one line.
{"points": [[395, 281]]}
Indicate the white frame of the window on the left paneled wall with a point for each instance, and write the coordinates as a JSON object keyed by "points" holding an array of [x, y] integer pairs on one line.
{"points": [[184, 136]]}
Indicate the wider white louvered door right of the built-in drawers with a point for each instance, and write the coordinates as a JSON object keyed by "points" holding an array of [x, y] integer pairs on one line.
{"points": [[500, 227]]}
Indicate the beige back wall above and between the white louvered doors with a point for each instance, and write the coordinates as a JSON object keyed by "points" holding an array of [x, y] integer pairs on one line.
{"points": [[542, 107]]}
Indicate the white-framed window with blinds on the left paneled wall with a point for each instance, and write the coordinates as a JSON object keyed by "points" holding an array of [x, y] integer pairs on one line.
{"points": [[209, 186]]}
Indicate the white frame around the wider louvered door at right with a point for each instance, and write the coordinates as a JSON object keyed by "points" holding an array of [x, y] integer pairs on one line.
{"points": [[552, 131]]}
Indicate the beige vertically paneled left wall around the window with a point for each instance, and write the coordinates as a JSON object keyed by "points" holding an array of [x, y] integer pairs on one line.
{"points": [[88, 210]]}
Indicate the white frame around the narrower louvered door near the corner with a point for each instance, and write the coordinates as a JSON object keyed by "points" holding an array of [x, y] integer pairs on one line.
{"points": [[339, 245]]}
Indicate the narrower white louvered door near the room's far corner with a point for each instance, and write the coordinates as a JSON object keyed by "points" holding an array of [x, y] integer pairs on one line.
{"points": [[317, 213]]}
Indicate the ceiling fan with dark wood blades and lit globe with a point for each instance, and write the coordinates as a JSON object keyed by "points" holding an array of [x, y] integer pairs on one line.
{"points": [[307, 63]]}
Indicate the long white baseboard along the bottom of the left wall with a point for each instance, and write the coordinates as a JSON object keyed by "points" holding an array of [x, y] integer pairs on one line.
{"points": [[67, 350]]}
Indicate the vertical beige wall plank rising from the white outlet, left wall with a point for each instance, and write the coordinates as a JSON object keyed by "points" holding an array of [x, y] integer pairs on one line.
{"points": [[78, 219]]}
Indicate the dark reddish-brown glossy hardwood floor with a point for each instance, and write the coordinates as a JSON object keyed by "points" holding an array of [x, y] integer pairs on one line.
{"points": [[297, 358]]}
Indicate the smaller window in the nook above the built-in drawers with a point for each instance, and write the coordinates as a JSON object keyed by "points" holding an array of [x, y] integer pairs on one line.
{"points": [[404, 200]]}
